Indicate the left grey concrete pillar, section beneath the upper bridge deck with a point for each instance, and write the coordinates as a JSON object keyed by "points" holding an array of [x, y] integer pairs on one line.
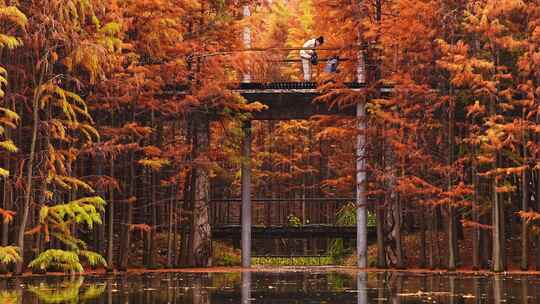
{"points": [[246, 195]]}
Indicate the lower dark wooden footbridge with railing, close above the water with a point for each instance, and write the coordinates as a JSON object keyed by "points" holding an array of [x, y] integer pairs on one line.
{"points": [[283, 218]]}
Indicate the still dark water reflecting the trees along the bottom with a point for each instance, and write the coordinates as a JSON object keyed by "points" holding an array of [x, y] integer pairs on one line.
{"points": [[293, 287]]}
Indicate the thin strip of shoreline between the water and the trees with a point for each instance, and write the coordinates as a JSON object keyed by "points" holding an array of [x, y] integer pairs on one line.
{"points": [[281, 269]]}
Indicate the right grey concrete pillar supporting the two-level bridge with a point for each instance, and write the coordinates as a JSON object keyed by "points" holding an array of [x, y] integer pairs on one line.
{"points": [[361, 213]]}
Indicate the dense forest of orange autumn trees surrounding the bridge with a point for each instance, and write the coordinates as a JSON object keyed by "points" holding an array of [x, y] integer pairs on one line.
{"points": [[121, 130]]}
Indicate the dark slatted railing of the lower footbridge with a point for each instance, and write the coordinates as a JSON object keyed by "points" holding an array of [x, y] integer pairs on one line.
{"points": [[279, 212]]}
